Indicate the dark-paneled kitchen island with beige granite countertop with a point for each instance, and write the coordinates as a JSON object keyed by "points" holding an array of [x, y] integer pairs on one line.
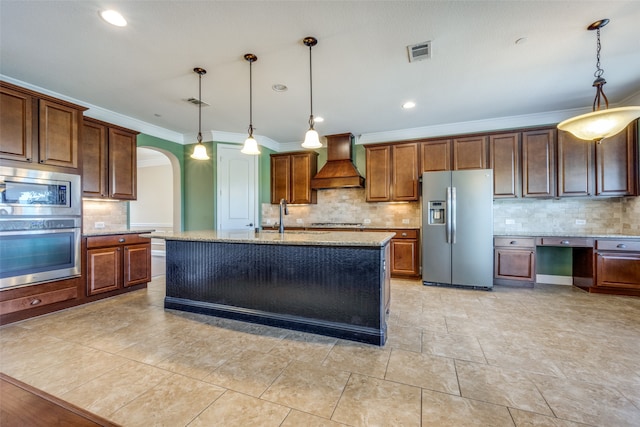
{"points": [[330, 283]]}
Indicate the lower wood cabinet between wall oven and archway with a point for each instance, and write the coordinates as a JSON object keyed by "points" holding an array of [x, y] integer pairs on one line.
{"points": [[117, 262]]}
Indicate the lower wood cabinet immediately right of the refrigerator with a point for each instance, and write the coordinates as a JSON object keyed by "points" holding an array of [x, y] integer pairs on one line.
{"points": [[514, 261]]}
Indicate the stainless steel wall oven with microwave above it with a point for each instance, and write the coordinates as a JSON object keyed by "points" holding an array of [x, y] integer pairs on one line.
{"points": [[40, 226]]}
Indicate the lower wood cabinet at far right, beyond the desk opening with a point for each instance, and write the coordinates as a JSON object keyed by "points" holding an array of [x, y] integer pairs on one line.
{"points": [[618, 266]]}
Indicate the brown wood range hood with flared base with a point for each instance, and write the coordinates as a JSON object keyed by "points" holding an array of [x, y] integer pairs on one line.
{"points": [[339, 171]]}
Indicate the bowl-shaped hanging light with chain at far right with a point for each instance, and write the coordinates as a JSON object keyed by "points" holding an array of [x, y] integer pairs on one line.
{"points": [[605, 122]]}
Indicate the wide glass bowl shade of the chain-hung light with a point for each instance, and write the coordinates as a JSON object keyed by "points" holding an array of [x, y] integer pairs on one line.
{"points": [[600, 124]]}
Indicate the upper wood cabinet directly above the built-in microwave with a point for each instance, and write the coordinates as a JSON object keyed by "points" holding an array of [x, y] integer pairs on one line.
{"points": [[38, 129]]}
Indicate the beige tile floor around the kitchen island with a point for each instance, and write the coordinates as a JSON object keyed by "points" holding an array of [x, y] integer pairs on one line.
{"points": [[550, 356]]}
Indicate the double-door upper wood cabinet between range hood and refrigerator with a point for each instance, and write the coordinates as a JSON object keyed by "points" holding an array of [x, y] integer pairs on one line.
{"points": [[392, 172]]}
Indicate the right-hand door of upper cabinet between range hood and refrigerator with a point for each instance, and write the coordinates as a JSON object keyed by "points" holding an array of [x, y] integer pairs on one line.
{"points": [[404, 172]]}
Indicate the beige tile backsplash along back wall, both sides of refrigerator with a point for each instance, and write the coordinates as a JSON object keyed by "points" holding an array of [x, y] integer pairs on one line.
{"points": [[567, 215]]}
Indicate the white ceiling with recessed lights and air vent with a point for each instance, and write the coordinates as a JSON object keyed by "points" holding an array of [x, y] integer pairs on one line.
{"points": [[361, 72]]}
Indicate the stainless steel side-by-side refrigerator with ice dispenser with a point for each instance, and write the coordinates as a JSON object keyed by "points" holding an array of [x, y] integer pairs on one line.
{"points": [[457, 228]]}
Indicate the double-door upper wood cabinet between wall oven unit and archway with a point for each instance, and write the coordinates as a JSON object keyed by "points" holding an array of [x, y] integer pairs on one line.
{"points": [[109, 156]]}
